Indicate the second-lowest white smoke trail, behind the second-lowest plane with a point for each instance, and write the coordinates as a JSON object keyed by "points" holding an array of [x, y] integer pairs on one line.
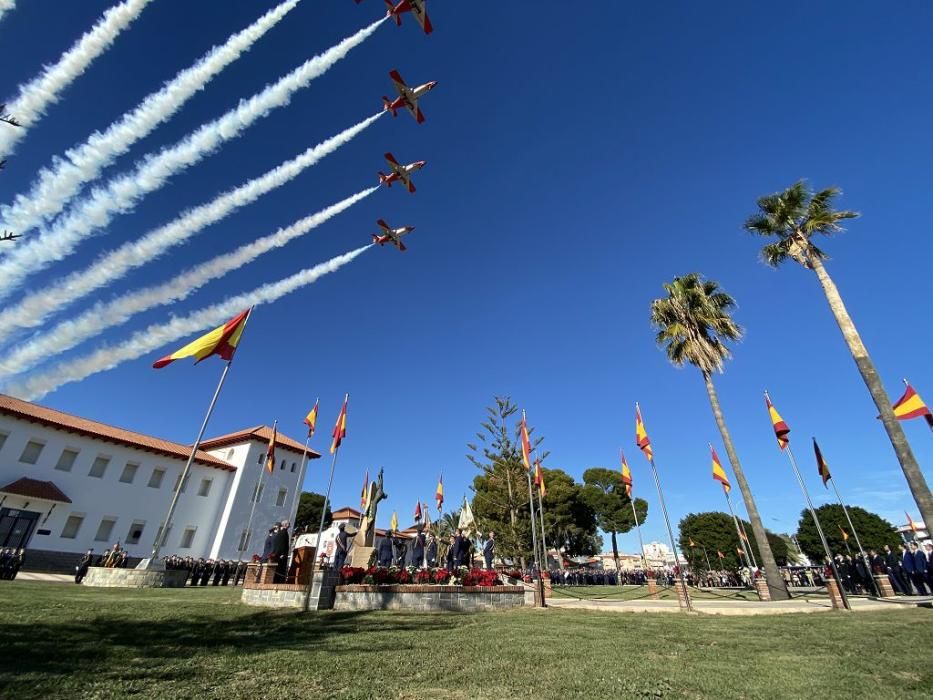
{"points": [[102, 316]]}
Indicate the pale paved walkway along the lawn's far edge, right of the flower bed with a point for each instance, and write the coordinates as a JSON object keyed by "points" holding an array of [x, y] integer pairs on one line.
{"points": [[736, 607]]}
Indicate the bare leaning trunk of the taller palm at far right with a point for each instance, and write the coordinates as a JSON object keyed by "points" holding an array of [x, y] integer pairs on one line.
{"points": [[916, 482]]}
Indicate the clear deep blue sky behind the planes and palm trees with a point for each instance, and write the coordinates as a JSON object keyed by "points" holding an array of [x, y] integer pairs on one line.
{"points": [[577, 159]]}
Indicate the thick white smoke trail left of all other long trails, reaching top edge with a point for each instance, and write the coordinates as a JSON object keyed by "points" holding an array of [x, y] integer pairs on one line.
{"points": [[36, 96]]}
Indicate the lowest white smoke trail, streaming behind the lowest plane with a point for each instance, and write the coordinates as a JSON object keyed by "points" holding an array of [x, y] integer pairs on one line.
{"points": [[157, 335]]}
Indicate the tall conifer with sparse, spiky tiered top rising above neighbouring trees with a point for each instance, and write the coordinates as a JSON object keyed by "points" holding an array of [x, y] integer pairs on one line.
{"points": [[500, 500]]}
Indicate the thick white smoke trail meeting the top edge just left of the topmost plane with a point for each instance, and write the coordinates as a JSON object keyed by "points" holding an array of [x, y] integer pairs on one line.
{"points": [[57, 184]]}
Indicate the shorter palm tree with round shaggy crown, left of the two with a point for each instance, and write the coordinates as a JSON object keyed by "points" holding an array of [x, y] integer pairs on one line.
{"points": [[693, 323]]}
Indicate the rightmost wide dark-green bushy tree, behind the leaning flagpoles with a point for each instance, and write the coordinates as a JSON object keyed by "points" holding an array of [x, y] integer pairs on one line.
{"points": [[874, 532]]}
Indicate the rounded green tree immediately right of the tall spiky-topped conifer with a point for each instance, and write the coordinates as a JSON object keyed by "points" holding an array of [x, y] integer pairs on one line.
{"points": [[569, 521]]}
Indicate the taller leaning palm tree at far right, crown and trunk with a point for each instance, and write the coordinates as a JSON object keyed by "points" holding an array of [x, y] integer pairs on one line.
{"points": [[794, 217]]}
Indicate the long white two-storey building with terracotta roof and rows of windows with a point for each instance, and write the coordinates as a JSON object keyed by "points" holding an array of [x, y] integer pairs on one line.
{"points": [[68, 484]]}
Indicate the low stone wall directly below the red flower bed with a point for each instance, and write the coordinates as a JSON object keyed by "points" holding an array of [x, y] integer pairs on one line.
{"points": [[429, 598]]}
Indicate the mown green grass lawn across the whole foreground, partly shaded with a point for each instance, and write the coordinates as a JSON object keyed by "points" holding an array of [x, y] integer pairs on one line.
{"points": [[59, 640]]}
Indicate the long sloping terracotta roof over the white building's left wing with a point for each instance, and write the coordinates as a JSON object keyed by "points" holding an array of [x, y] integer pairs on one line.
{"points": [[82, 426]]}
